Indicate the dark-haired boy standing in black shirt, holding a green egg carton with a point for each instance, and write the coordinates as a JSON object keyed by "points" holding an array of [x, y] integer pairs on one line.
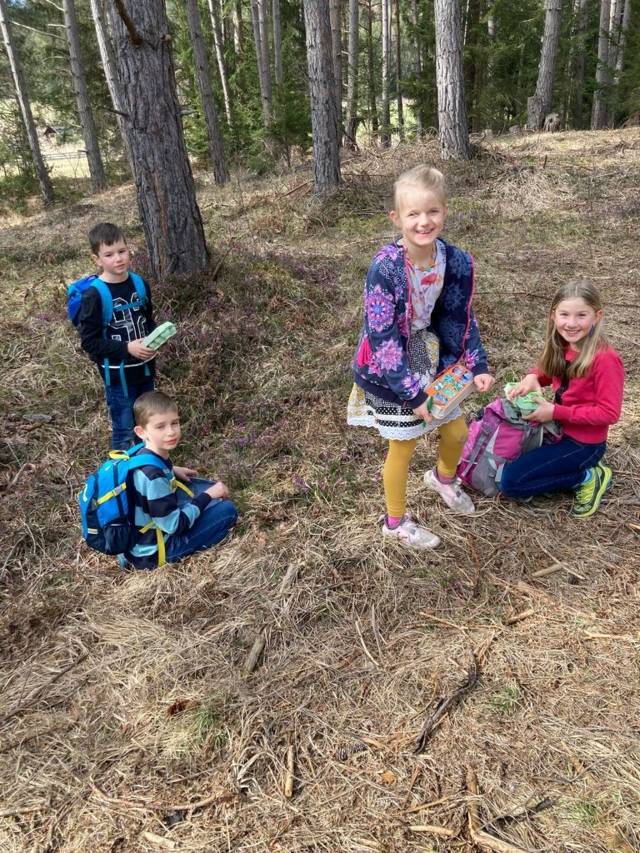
{"points": [[115, 342]]}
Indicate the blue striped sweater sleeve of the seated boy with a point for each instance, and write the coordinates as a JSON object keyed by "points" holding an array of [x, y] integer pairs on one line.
{"points": [[159, 502]]}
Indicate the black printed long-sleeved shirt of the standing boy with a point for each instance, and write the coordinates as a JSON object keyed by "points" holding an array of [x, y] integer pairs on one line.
{"points": [[131, 320]]}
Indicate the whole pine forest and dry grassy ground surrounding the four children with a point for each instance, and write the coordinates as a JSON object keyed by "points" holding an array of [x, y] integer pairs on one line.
{"points": [[303, 687]]}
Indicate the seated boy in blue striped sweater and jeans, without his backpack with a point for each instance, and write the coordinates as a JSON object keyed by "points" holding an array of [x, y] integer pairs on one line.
{"points": [[167, 520]]}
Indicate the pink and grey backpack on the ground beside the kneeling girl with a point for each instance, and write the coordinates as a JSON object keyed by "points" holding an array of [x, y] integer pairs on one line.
{"points": [[499, 435]]}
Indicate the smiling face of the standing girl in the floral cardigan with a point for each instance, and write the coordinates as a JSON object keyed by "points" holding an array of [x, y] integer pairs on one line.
{"points": [[420, 217]]}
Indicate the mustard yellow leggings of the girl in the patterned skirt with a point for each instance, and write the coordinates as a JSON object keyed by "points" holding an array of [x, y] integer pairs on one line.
{"points": [[396, 466]]}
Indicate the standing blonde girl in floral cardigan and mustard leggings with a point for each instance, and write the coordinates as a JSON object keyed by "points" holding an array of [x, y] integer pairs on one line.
{"points": [[417, 321]]}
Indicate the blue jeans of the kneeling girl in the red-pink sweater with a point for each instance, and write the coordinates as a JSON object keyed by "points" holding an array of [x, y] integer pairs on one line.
{"points": [[550, 468]]}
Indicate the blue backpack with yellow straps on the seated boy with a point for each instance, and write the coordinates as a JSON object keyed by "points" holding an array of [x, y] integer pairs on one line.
{"points": [[106, 512]]}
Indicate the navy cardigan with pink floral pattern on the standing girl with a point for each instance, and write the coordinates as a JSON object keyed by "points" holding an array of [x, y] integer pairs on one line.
{"points": [[380, 364]]}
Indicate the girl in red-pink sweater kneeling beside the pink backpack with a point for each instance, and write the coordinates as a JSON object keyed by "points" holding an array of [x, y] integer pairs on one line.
{"points": [[587, 377]]}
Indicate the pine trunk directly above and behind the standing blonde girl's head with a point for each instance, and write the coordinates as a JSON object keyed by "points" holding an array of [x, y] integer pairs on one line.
{"points": [[452, 113]]}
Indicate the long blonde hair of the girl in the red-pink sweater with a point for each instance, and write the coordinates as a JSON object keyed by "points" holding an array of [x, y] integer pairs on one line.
{"points": [[552, 362]]}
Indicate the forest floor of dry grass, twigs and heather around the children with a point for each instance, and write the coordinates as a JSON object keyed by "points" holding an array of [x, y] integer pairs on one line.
{"points": [[129, 719]]}
